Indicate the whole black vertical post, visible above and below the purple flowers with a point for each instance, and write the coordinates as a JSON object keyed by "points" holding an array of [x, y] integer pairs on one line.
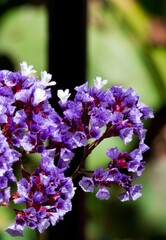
{"points": [[67, 64]]}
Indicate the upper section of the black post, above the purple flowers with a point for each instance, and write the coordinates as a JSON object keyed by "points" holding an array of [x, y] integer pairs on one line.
{"points": [[67, 43]]}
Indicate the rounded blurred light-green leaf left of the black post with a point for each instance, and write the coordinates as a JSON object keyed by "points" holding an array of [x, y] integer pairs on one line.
{"points": [[23, 36]]}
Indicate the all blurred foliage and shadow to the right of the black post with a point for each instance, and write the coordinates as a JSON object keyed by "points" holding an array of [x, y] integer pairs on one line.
{"points": [[126, 45]]}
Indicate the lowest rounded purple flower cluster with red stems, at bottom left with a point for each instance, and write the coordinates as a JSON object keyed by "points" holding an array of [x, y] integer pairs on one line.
{"points": [[47, 194]]}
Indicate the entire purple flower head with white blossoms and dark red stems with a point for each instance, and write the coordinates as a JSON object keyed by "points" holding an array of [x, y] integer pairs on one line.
{"points": [[30, 125]]}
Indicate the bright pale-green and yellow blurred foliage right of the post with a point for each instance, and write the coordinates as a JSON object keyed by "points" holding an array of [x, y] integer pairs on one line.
{"points": [[119, 49]]}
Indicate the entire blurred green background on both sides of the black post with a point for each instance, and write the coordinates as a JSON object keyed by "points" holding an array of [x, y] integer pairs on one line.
{"points": [[126, 44]]}
